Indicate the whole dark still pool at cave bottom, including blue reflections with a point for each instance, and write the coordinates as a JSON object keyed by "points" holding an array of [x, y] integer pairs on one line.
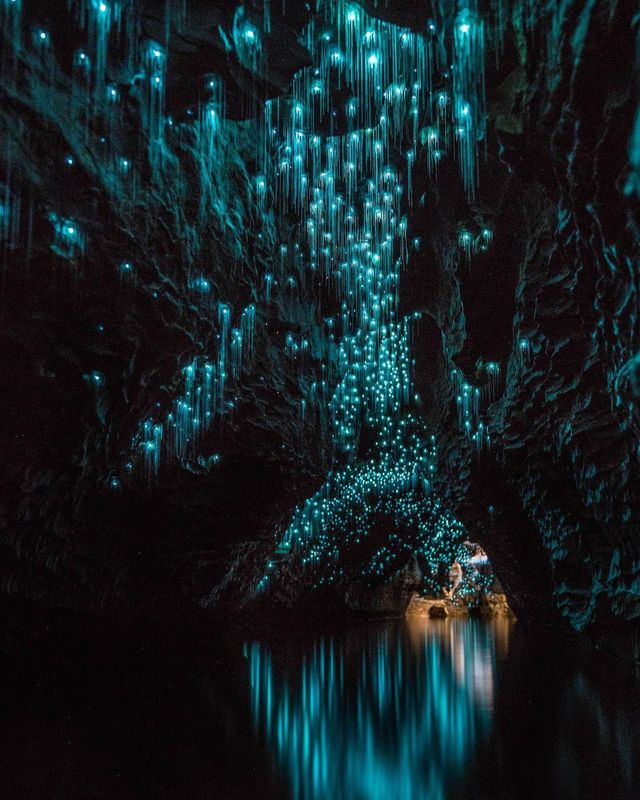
{"points": [[406, 710]]}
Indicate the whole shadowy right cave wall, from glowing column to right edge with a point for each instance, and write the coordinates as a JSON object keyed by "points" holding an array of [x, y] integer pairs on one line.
{"points": [[555, 304]]}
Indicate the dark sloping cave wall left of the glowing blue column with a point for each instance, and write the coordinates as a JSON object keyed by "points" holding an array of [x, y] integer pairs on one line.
{"points": [[97, 333]]}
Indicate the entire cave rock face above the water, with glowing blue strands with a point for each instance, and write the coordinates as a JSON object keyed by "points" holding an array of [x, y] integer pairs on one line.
{"points": [[270, 221]]}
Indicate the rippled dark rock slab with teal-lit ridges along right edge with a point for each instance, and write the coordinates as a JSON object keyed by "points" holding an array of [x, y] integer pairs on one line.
{"points": [[568, 416]]}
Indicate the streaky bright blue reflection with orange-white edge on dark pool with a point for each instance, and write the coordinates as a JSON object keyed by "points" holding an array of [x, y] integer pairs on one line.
{"points": [[396, 714]]}
